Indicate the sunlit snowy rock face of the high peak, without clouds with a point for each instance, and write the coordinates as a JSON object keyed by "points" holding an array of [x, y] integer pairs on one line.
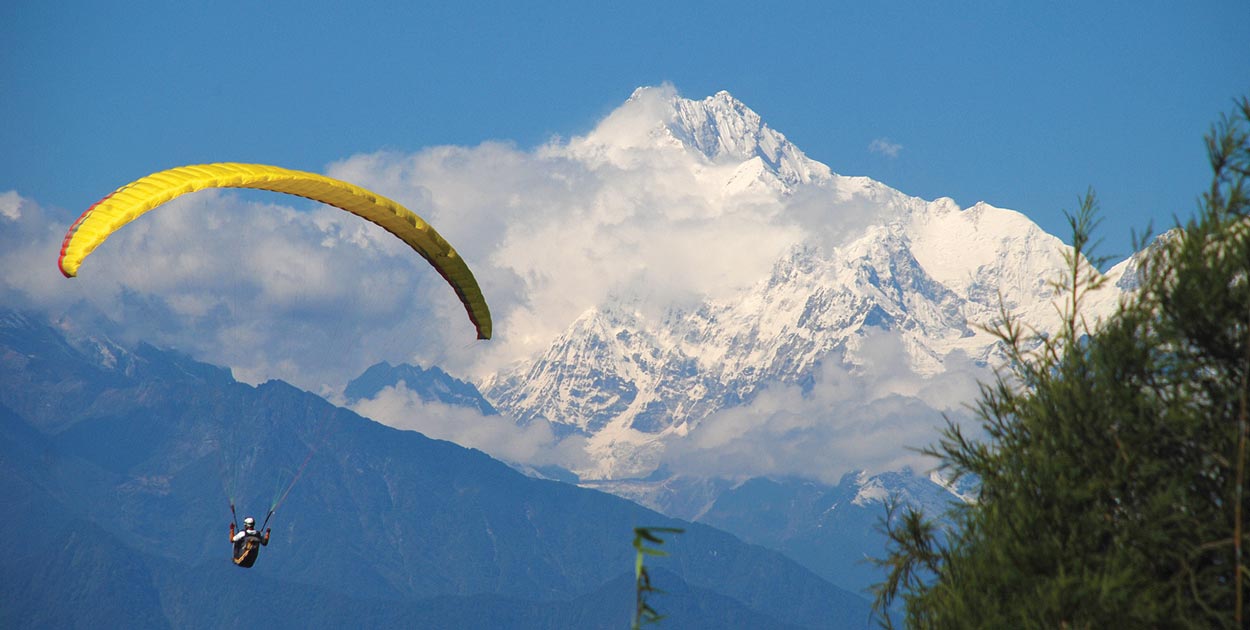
{"points": [[873, 262]]}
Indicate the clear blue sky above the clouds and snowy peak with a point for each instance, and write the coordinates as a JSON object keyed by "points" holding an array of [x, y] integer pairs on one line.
{"points": [[1018, 104]]}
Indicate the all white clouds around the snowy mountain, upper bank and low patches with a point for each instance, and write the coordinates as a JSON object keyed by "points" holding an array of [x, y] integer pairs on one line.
{"points": [[281, 288]]}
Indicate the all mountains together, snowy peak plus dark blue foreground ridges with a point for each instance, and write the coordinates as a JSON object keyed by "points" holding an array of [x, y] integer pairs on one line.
{"points": [[779, 409]]}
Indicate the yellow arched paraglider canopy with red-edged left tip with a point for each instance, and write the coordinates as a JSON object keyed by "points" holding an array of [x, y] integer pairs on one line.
{"points": [[134, 199]]}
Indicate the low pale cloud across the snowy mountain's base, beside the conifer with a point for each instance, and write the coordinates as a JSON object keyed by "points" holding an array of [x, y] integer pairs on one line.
{"points": [[867, 419]]}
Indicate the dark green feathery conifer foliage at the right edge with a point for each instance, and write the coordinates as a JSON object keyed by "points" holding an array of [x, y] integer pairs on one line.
{"points": [[1112, 457]]}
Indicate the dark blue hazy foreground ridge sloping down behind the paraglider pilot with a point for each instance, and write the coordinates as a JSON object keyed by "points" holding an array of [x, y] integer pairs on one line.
{"points": [[122, 468]]}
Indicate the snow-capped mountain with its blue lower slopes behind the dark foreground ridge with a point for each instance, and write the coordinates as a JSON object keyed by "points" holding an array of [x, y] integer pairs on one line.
{"points": [[866, 333]]}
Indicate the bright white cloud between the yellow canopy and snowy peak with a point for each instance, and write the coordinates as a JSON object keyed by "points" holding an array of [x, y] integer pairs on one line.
{"points": [[556, 232]]}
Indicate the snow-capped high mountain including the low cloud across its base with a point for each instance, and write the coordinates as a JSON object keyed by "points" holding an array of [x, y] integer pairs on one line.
{"points": [[871, 294]]}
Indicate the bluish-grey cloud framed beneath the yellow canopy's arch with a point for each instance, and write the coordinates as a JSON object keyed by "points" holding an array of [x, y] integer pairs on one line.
{"points": [[312, 296]]}
